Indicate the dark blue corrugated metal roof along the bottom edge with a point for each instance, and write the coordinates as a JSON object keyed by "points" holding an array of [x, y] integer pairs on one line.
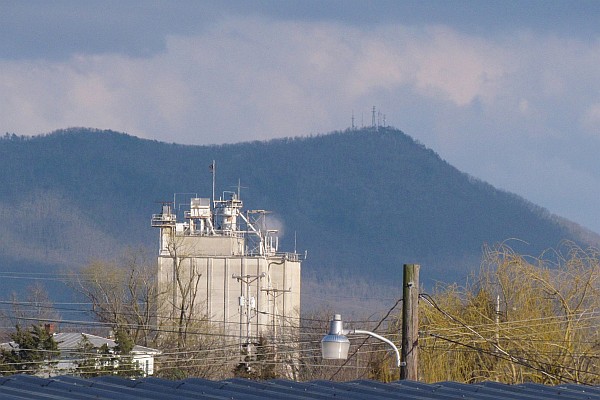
{"points": [[112, 387]]}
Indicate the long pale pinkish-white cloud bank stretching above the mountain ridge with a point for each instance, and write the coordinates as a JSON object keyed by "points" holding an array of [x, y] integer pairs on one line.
{"points": [[248, 77]]}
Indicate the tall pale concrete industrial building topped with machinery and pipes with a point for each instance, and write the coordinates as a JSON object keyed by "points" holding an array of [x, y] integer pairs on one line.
{"points": [[220, 263]]}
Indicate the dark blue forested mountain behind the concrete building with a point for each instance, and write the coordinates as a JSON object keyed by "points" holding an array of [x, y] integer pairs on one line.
{"points": [[361, 203]]}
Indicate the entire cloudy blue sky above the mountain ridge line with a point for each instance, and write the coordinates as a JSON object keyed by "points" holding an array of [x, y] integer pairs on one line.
{"points": [[506, 91]]}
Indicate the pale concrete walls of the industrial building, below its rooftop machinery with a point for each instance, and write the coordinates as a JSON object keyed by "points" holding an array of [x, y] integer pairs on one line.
{"points": [[277, 294]]}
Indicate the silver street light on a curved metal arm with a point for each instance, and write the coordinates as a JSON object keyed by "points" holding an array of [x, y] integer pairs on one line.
{"points": [[335, 345]]}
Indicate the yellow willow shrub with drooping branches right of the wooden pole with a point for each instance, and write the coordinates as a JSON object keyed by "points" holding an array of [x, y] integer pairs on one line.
{"points": [[545, 330]]}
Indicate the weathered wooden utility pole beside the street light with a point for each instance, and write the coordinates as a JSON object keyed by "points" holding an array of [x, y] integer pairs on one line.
{"points": [[410, 323]]}
